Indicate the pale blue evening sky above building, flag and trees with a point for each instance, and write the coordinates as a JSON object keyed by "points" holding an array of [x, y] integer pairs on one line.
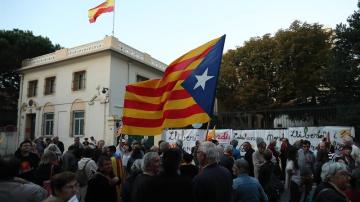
{"points": [[166, 29]]}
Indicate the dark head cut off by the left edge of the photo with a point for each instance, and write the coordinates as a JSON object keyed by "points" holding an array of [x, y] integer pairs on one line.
{"points": [[9, 167]]}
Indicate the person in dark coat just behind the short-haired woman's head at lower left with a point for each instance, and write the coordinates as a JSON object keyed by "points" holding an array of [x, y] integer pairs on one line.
{"points": [[49, 165]]}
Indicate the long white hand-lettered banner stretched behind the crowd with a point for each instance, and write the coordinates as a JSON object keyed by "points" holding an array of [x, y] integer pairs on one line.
{"points": [[224, 136]]}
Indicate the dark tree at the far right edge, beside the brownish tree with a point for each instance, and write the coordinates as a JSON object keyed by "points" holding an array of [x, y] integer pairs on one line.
{"points": [[344, 72]]}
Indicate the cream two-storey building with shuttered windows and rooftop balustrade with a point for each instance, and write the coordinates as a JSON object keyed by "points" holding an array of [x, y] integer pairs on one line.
{"points": [[79, 92]]}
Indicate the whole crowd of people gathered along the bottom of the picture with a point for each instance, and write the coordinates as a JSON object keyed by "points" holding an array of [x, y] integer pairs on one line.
{"points": [[42, 170]]}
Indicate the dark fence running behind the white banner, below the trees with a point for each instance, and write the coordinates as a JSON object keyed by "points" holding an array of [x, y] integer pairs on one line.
{"points": [[344, 115]]}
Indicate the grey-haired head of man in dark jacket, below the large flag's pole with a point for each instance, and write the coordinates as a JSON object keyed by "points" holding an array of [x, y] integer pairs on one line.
{"points": [[207, 153]]}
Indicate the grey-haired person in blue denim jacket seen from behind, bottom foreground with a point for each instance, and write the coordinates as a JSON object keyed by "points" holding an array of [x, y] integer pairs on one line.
{"points": [[246, 188]]}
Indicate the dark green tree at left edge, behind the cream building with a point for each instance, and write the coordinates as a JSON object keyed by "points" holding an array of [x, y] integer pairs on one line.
{"points": [[15, 46]]}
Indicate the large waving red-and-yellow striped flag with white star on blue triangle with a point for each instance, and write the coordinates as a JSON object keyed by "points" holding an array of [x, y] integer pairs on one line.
{"points": [[185, 95]]}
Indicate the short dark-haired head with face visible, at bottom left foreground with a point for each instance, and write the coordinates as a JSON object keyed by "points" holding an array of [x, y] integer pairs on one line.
{"points": [[64, 185]]}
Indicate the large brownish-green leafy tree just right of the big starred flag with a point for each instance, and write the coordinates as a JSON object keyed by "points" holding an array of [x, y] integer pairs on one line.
{"points": [[286, 69]]}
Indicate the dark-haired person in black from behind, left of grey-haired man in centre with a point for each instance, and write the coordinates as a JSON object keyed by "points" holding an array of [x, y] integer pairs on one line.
{"points": [[169, 177]]}
